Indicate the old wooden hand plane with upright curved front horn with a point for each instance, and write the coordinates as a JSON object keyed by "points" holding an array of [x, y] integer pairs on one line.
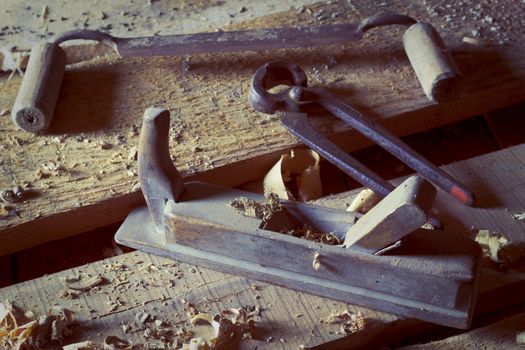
{"points": [[431, 276]]}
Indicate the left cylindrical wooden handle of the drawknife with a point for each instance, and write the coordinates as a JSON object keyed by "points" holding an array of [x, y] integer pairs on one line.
{"points": [[38, 94]]}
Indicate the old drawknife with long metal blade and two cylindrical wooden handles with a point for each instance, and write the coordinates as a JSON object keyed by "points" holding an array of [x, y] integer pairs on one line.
{"points": [[36, 100]]}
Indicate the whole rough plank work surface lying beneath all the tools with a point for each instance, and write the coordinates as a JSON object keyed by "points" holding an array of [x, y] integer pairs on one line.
{"points": [[82, 174]]}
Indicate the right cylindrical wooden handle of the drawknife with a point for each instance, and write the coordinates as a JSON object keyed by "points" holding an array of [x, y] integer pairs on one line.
{"points": [[434, 66]]}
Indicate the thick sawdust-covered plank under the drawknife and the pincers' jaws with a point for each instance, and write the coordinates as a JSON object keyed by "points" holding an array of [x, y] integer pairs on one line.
{"points": [[83, 174]]}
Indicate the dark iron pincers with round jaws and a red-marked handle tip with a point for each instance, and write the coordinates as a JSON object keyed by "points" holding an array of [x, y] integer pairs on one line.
{"points": [[292, 101]]}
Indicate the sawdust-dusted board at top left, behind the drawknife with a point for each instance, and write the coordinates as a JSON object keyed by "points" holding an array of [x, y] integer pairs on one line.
{"points": [[25, 23]]}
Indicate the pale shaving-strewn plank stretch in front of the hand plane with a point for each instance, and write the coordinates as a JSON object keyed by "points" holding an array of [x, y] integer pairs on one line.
{"points": [[160, 287]]}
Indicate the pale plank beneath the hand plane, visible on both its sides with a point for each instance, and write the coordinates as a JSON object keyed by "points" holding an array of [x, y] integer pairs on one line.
{"points": [[144, 284]]}
